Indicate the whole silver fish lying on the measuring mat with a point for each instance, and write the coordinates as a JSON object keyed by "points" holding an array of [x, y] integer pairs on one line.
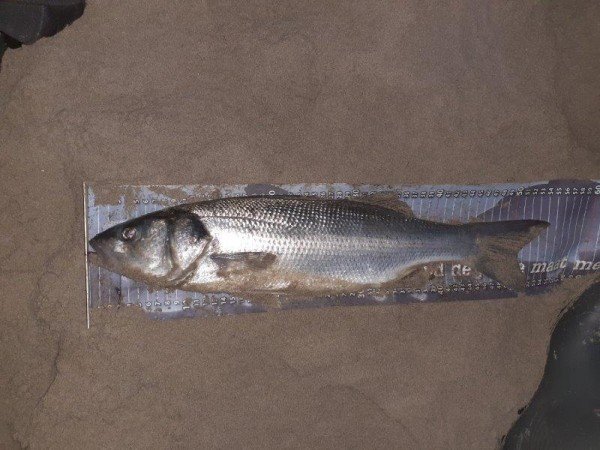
{"points": [[264, 246]]}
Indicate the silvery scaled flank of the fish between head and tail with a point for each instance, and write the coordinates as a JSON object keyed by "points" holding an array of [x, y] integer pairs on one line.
{"points": [[344, 240]]}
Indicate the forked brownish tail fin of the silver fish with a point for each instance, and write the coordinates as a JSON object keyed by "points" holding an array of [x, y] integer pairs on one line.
{"points": [[498, 244]]}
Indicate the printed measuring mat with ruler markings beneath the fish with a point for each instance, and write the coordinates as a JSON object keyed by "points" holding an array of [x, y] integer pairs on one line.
{"points": [[568, 248]]}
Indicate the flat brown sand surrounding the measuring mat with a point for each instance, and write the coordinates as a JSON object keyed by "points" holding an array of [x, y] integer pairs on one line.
{"points": [[238, 92]]}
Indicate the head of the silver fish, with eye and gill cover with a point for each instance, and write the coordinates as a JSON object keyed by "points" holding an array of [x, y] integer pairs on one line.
{"points": [[158, 248]]}
